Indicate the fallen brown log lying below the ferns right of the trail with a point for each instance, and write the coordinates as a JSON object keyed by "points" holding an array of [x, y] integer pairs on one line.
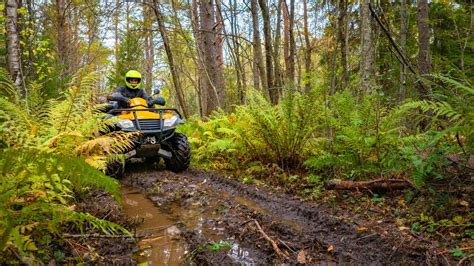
{"points": [[377, 184]]}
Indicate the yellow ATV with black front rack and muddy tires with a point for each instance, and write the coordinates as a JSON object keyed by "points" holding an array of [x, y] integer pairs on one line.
{"points": [[157, 139]]}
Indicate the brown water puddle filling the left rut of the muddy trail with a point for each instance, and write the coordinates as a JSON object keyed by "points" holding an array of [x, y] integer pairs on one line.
{"points": [[161, 230]]}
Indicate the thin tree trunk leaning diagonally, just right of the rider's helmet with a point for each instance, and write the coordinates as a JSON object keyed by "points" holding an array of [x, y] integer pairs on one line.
{"points": [[169, 55]]}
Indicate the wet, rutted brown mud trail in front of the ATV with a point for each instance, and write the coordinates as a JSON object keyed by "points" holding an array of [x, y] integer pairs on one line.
{"points": [[212, 219]]}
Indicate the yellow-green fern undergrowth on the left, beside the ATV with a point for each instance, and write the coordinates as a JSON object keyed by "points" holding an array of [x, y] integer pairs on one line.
{"points": [[50, 153]]}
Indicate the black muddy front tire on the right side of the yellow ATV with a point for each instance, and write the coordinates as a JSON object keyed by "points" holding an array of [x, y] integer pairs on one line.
{"points": [[181, 153]]}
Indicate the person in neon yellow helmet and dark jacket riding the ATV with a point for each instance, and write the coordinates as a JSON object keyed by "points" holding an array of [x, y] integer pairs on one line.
{"points": [[123, 94]]}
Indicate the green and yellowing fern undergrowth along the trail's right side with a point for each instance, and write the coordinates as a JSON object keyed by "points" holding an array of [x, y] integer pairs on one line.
{"points": [[308, 139]]}
